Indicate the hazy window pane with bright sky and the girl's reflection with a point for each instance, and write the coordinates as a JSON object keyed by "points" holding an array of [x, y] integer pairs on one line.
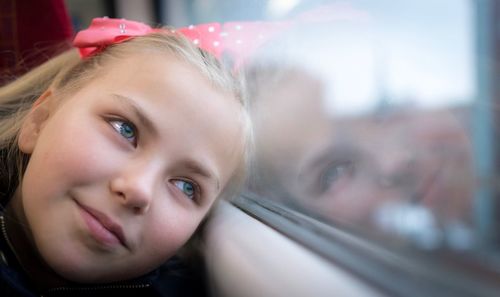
{"points": [[366, 119]]}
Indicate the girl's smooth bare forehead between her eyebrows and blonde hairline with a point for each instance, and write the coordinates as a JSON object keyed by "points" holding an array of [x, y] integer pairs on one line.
{"points": [[182, 104]]}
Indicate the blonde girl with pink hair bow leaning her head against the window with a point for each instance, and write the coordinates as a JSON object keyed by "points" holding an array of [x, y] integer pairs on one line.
{"points": [[112, 160]]}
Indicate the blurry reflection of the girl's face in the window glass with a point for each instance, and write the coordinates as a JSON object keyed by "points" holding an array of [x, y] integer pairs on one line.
{"points": [[348, 169]]}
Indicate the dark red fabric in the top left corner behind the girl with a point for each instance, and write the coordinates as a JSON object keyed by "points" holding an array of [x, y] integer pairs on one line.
{"points": [[29, 31]]}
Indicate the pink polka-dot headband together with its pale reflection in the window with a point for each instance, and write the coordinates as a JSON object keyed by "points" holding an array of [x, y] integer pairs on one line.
{"points": [[239, 40]]}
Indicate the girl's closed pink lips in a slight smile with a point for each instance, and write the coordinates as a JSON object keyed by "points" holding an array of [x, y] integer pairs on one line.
{"points": [[101, 227]]}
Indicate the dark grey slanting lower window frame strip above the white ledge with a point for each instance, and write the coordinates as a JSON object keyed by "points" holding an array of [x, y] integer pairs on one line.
{"points": [[396, 272]]}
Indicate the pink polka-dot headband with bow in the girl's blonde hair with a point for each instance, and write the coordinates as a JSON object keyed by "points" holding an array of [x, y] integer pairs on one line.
{"points": [[238, 39]]}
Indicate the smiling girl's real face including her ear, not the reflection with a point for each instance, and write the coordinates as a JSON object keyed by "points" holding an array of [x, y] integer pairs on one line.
{"points": [[123, 171]]}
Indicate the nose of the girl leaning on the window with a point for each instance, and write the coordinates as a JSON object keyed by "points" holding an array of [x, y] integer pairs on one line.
{"points": [[134, 187]]}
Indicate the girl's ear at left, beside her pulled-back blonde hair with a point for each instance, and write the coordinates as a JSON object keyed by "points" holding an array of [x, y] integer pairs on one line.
{"points": [[34, 122]]}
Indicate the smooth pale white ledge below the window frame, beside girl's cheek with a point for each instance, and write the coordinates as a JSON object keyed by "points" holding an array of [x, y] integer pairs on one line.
{"points": [[247, 258]]}
